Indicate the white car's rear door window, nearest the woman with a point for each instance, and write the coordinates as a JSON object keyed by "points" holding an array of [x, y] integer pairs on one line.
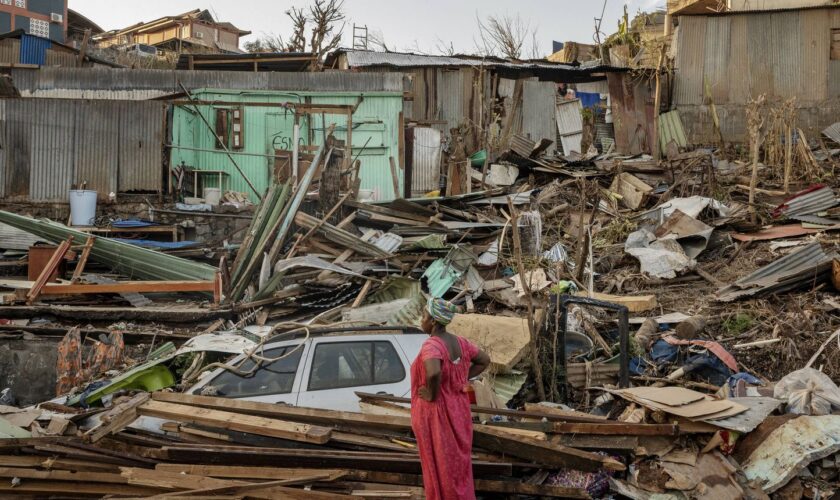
{"points": [[351, 364]]}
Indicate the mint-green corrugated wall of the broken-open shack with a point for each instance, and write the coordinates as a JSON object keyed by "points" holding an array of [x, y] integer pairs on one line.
{"points": [[376, 118]]}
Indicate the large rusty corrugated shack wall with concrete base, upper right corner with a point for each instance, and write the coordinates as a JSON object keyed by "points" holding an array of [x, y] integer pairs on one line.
{"points": [[735, 58]]}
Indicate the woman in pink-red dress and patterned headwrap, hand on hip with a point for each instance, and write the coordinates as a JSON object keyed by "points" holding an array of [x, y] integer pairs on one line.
{"points": [[440, 405]]}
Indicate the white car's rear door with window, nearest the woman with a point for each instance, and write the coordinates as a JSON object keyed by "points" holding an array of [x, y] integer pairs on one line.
{"points": [[337, 368]]}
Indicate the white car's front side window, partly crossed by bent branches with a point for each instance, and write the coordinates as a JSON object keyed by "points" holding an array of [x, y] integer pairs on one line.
{"points": [[277, 377]]}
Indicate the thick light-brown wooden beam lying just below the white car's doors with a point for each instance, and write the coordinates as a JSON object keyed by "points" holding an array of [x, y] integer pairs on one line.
{"points": [[237, 422]]}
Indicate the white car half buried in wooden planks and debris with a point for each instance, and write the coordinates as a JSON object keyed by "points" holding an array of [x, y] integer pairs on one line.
{"points": [[323, 371]]}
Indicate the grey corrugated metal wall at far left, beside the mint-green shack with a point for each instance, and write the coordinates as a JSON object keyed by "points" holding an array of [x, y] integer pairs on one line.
{"points": [[53, 143]]}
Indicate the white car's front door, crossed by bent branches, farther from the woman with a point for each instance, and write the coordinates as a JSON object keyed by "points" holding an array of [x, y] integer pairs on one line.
{"points": [[276, 380]]}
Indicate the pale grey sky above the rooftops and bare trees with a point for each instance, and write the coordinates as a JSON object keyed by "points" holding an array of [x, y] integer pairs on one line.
{"points": [[405, 25]]}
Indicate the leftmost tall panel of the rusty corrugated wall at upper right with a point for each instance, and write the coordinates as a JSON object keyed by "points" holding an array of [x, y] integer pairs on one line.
{"points": [[690, 62]]}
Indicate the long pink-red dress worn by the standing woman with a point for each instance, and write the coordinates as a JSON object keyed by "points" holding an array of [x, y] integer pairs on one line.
{"points": [[443, 428]]}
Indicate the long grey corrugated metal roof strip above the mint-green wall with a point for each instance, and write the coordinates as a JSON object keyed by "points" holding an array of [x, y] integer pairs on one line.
{"points": [[109, 83]]}
